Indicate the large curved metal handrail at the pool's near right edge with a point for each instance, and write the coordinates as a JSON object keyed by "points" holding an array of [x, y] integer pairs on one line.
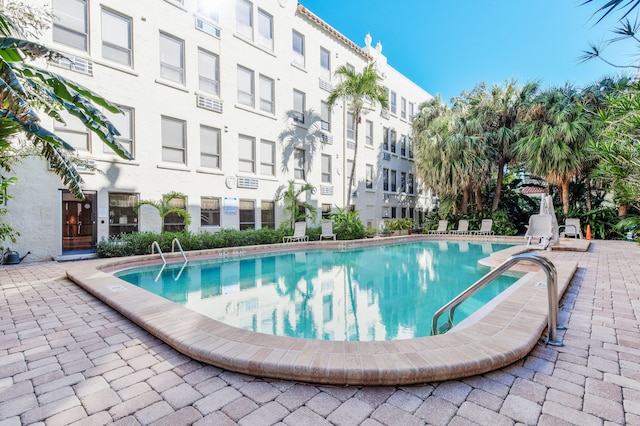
{"points": [[552, 293]]}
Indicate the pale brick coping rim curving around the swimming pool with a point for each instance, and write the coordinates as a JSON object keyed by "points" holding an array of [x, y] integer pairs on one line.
{"points": [[502, 336]]}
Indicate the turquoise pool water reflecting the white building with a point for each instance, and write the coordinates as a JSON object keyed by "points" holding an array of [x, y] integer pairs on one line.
{"points": [[385, 292]]}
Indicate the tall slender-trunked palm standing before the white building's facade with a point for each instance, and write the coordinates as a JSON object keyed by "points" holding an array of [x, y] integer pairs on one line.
{"points": [[358, 90]]}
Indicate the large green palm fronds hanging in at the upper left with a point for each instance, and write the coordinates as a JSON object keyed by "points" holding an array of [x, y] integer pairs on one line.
{"points": [[25, 88]]}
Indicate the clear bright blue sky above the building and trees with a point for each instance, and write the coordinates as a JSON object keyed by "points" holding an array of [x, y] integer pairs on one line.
{"points": [[447, 46]]}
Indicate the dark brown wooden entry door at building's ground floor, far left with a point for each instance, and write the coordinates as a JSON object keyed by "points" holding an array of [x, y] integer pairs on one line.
{"points": [[78, 222]]}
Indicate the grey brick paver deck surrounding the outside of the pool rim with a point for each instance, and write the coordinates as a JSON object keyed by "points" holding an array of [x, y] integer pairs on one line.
{"points": [[66, 358]]}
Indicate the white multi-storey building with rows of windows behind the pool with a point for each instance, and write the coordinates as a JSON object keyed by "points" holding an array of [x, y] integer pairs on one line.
{"points": [[224, 101]]}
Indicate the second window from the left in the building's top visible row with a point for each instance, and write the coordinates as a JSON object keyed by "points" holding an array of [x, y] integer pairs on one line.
{"points": [[116, 37]]}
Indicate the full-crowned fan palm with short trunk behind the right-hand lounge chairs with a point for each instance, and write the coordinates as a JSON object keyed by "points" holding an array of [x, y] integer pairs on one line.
{"points": [[557, 136]]}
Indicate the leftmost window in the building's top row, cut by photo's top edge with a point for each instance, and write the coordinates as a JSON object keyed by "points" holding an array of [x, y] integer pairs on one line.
{"points": [[70, 23]]}
